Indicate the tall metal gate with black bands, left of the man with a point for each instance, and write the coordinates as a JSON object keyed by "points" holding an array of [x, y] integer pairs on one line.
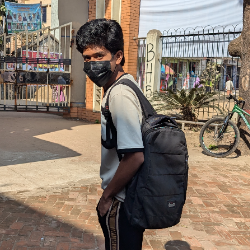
{"points": [[36, 70]]}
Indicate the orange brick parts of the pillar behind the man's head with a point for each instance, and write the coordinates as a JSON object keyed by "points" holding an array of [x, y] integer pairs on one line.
{"points": [[130, 25]]}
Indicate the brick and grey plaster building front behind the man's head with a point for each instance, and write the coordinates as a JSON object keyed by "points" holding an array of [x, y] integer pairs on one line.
{"points": [[85, 95]]}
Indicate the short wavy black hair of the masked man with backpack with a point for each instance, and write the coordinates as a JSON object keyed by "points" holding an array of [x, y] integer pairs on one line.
{"points": [[102, 33]]}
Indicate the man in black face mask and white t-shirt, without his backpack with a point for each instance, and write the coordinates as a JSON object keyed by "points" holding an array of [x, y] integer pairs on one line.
{"points": [[101, 43]]}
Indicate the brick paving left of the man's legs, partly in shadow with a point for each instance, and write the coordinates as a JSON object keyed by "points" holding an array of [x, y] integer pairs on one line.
{"points": [[57, 221]]}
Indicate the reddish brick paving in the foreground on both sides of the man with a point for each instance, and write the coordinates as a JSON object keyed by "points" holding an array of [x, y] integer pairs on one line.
{"points": [[216, 216]]}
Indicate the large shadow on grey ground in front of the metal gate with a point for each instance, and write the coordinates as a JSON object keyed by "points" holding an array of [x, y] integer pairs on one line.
{"points": [[18, 137]]}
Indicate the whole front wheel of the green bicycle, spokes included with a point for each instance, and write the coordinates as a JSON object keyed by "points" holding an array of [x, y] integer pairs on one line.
{"points": [[217, 143]]}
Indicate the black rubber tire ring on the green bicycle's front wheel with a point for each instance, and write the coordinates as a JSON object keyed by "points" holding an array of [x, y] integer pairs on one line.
{"points": [[231, 149]]}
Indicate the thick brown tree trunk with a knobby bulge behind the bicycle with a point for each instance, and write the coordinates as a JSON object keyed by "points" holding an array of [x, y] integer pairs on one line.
{"points": [[240, 47]]}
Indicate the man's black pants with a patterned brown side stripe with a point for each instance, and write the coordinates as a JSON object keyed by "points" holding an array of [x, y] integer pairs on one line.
{"points": [[118, 233]]}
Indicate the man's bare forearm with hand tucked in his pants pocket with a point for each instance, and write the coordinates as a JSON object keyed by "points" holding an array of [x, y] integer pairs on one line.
{"points": [[128, 167]]}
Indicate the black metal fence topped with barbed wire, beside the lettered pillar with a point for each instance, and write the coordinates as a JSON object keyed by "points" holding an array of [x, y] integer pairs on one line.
{"points": [[186, 55]]}
